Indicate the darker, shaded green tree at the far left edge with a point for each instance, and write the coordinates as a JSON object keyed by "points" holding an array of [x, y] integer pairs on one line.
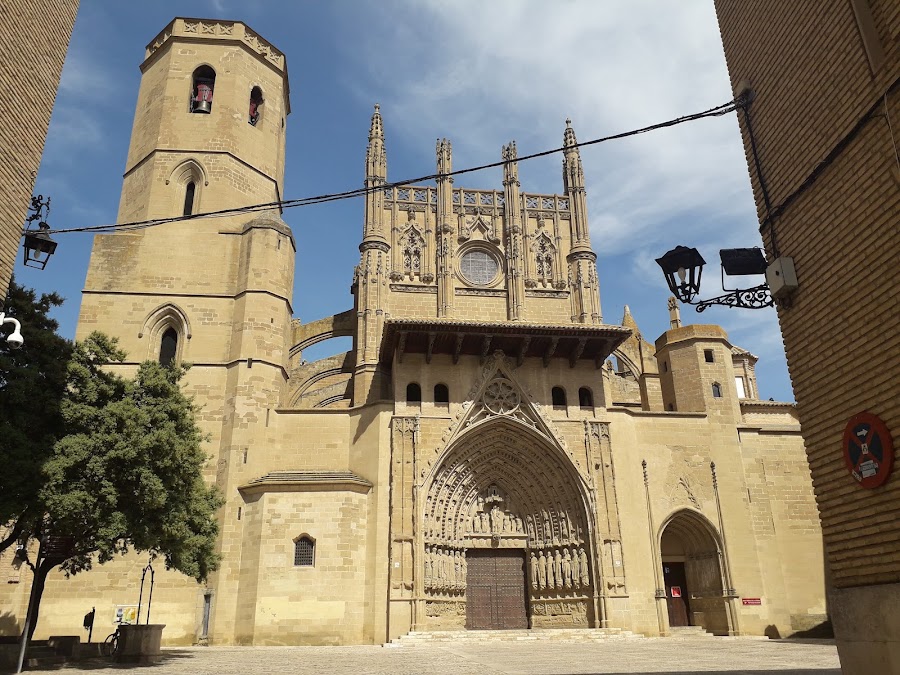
{"points": [[32, 384]]}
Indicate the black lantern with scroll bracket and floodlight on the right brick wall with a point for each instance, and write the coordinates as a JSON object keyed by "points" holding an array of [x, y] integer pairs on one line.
{"points": [[687, 265]]}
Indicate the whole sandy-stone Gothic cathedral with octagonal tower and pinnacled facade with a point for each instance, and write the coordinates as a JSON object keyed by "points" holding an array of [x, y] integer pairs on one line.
{"points": [[490, 454]]}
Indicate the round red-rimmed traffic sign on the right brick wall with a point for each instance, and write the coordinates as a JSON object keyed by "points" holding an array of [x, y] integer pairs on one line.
{"points": [[868, 450]]}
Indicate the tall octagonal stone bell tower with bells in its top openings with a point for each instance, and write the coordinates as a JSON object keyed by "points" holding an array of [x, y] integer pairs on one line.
{"points": [[209, 135]]}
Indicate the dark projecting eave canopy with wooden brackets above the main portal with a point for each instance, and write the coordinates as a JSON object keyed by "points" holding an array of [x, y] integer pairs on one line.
{"points": [[574, 342]]}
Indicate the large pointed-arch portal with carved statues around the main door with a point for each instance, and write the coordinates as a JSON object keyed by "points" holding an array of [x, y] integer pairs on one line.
{"points": [[505, 527]]}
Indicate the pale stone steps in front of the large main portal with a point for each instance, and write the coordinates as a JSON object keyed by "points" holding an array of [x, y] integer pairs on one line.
{"points": [[523, 635]]}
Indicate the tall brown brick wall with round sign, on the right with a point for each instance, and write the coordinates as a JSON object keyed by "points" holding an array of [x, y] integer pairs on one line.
{"points": [[826, 119]]}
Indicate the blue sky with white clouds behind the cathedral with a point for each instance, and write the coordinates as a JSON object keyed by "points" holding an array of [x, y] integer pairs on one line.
{"points": [[479, 73]]}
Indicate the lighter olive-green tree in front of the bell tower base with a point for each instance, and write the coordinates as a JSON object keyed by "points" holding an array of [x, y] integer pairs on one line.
{"points": [[128, 472]]}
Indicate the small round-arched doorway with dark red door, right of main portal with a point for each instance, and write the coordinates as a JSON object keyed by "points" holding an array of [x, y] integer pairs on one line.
{"points": [[692, 573]]}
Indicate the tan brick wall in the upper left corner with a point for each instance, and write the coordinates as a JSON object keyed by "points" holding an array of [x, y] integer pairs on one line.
{"points": [[34, 38]]}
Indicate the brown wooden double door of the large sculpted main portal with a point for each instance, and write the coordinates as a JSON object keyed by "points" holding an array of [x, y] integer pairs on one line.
{"points": [[495, 589]]}
